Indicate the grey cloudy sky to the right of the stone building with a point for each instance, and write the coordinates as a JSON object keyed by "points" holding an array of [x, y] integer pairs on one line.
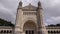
{"points": [[51, 9]]}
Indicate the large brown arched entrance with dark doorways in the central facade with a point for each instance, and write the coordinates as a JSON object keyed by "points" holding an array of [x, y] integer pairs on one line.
{"points": [[30, 27]]}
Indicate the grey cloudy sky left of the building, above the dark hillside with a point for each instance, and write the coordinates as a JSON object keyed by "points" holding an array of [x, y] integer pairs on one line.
{"points": [[8, 9]]}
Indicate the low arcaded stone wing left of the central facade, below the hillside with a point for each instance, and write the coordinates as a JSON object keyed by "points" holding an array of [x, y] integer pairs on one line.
{"points": [[6, 30]]}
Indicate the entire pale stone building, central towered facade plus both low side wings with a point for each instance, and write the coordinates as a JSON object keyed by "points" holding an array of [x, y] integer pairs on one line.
{"points": [[29, 20]]}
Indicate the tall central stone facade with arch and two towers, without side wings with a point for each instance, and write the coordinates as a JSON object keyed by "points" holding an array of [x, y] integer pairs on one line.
{"points": [[29, 20]]}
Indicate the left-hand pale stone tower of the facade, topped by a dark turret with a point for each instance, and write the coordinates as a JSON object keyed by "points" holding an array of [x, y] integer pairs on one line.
{"points": [[18, 24]]}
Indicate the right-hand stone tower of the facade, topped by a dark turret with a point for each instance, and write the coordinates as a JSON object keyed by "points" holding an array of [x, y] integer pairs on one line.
{"points": [[41, 25]]}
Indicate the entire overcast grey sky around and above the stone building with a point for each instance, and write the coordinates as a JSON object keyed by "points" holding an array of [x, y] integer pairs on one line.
{"points": [[51, 8]]}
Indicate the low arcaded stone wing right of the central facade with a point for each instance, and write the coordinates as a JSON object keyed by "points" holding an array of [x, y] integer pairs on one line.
{"points": [[53, 29]]}
